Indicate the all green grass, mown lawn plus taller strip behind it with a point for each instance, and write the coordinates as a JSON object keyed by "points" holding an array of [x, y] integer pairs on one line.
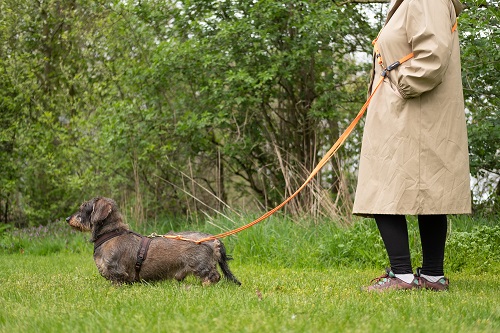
{"points": [[296, 278]]}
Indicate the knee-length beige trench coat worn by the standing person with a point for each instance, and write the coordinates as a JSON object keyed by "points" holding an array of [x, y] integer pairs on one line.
{"points": [[414, 155]]}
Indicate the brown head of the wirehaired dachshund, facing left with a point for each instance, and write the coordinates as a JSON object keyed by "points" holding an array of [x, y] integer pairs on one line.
{"points": [[91, 213]]}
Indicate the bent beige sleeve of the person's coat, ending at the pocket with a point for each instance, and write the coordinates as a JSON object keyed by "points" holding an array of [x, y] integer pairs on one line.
{"points": [[428, 28]]}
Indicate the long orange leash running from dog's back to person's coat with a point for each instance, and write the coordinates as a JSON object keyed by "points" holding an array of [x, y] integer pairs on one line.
{"points": [[328, 155]]}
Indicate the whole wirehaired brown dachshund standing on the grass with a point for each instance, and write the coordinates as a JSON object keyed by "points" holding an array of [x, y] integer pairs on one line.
{"points": [[124, 256]]}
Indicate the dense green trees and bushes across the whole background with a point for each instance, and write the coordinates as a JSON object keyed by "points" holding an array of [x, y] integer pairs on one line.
{"points": [[174, 108]]}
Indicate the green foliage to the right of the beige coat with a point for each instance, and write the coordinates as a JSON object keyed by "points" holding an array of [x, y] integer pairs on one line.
{"points": [[479, 26]]}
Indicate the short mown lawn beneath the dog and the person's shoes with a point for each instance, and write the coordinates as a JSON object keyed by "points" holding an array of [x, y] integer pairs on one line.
{"points": [[62, 292]]}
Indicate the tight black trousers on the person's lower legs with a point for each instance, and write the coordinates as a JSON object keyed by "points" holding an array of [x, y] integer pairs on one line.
{"points": [[394, 232]]}
